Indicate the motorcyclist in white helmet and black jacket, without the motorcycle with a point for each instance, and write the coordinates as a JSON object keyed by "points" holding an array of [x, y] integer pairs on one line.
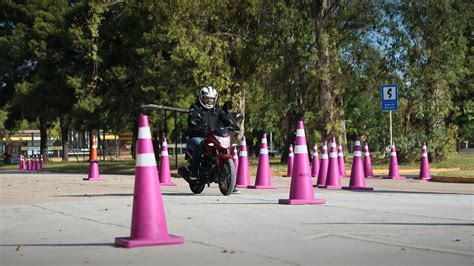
{"points": [[204, 116]]}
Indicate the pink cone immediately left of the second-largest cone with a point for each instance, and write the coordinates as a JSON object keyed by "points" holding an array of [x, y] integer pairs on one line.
{"points": [[263, 179]]}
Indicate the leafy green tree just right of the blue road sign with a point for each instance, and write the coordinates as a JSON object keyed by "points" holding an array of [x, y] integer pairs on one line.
{"points": [[431, 46]]}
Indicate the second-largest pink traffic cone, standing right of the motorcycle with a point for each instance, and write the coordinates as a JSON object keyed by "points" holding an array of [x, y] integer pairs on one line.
{"points": [[301, 188]]}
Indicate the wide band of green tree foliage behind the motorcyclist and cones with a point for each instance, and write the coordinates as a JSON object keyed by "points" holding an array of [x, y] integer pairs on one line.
{"points": [[93, 64]]}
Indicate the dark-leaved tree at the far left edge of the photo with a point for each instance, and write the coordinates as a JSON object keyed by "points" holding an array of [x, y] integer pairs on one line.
{"points": [[31, 81]]}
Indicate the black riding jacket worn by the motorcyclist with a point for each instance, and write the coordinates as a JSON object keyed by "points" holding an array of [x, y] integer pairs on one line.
{"points": [[202, 121]]}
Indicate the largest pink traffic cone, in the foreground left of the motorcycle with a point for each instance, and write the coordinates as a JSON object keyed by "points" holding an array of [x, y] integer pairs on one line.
{"points": [[148, 216]]}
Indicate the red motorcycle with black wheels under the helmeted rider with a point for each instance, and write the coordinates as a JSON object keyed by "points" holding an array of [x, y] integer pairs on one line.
{"points": [[216, 163]]}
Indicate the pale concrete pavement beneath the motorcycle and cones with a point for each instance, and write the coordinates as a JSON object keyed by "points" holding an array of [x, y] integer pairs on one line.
{"points": [[59, 219]]}
